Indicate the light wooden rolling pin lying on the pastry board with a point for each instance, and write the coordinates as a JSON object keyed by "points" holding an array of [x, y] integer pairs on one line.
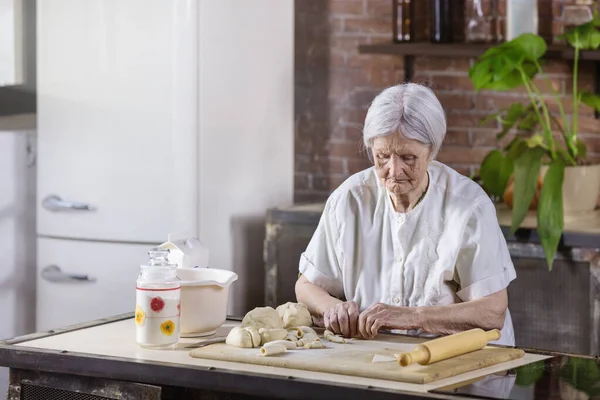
{"points": [[449, 346]]}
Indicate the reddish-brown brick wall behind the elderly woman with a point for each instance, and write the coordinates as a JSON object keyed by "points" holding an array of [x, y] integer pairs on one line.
{"points": [[334, 86]]}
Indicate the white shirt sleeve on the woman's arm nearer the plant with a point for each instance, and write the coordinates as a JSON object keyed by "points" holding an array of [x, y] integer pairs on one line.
{"points": [[483, 265]]}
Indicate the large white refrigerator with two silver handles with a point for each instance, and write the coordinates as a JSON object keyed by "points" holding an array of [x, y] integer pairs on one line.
{"points": [[137, 139]]}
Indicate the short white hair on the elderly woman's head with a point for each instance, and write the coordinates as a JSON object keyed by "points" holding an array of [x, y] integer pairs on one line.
{"points": [[410, 109]]}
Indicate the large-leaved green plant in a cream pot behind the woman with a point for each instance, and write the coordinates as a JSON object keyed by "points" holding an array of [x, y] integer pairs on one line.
{"points": [[546, 159]]}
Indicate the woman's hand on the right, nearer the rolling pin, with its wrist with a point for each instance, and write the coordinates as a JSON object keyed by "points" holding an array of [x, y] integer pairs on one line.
{"points": [[381, 315]]}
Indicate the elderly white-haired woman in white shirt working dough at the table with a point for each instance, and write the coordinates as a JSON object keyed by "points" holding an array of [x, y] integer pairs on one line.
{"points": [[409, 244]]}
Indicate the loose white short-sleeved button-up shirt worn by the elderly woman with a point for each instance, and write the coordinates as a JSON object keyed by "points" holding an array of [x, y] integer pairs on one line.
{"points": [[448, 249]]}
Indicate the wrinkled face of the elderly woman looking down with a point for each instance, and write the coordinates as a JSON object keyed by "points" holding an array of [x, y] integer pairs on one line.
{"points": [[401, 163]]}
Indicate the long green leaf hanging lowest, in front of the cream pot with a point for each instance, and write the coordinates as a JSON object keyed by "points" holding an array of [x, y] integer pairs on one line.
{"points": [[550, 210]]}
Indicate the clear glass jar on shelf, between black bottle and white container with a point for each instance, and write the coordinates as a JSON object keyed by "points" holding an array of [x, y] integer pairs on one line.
{"points": [[481, 21]]}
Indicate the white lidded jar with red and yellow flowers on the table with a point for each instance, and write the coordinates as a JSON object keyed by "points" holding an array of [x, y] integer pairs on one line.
{"points": [[158, 297]]}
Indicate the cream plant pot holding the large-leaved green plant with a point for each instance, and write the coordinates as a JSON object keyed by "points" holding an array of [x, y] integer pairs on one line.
{"points": [[581, 185]]}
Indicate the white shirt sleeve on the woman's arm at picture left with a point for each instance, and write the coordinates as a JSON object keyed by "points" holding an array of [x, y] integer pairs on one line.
{"points": [[320, 263]]}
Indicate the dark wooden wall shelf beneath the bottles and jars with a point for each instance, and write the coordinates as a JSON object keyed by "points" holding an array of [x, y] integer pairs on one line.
{"points": [[461, 50]]}
